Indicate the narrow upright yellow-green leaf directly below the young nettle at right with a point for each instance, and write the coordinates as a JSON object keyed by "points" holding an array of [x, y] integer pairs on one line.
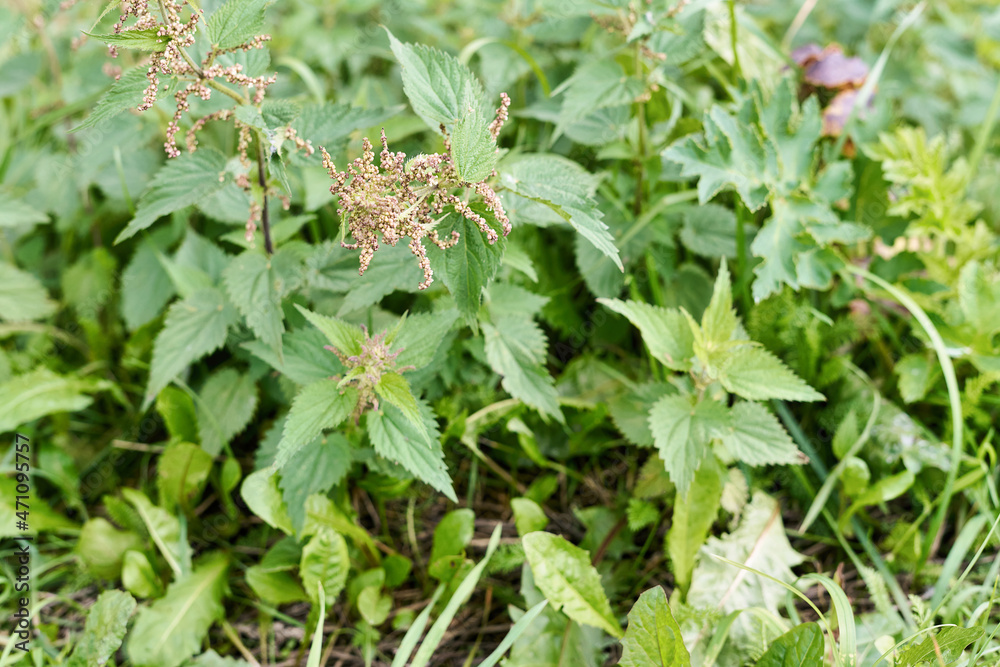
{"points": [[694, 514]]}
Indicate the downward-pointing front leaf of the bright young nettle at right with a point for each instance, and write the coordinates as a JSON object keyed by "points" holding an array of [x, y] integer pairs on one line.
{"points": [[683, 432]]}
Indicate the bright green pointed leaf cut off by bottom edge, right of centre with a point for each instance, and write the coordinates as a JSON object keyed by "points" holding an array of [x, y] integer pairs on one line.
{"points": [[653, 638]]}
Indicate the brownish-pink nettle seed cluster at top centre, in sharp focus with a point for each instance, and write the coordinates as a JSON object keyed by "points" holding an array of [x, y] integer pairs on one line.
{"points": [[397, 199]]}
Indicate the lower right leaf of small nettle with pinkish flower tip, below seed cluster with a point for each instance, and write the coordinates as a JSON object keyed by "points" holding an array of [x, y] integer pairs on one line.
{"points": [[417, 450]]}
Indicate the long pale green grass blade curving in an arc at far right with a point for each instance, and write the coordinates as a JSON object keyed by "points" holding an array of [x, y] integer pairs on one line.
{"points": [[954, 396]]}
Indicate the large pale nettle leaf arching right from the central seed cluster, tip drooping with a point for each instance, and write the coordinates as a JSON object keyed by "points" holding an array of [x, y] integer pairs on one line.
{"points": [[568, 189]]}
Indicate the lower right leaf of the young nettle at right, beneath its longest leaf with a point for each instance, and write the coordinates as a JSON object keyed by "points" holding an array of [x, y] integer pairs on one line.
{"points": [[755, 437]]}
